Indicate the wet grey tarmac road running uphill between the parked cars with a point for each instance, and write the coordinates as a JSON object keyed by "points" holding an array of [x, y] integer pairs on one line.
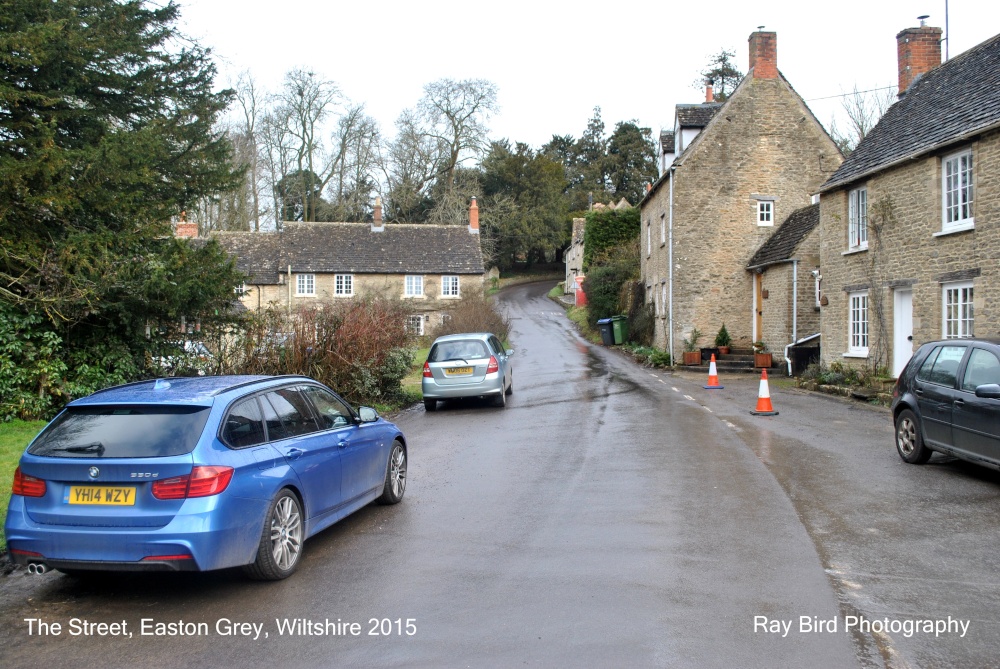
{"points": [[609, 516]]}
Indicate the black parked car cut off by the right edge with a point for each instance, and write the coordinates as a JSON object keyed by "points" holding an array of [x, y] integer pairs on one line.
{"points": [[947, 399]]}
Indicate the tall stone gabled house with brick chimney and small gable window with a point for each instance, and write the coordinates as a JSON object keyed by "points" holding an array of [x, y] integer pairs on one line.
{"points": [[759, 158]]}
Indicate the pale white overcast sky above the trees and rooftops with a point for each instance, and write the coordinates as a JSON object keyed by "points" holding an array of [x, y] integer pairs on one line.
{"points": [[555, 60]]}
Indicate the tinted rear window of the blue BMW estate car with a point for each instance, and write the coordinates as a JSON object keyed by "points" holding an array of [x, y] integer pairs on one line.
{"points": [[122, 432]]}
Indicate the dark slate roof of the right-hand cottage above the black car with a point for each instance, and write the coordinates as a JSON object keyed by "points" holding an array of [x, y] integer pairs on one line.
{"points": [[948, 104]]}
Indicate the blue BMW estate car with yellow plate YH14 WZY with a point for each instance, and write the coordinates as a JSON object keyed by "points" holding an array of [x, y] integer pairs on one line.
{"points": [[197, 474]]}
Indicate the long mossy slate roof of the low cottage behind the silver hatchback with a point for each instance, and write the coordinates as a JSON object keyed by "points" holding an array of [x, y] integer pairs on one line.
{"points": [[352, 248]]}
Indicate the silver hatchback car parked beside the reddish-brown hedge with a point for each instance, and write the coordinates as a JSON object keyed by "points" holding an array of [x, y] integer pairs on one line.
{"points": [[473, 364]]}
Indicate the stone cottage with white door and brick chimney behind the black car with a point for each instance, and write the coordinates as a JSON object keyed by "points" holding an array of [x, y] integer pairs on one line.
{"points": [[910, 223]]}
